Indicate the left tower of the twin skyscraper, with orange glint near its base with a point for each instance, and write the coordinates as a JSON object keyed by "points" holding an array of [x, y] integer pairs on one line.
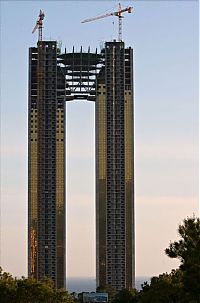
{"points": [[46, 165]]}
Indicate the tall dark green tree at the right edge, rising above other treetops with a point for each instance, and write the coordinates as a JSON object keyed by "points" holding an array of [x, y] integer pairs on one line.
{"points": [[187, 250]]}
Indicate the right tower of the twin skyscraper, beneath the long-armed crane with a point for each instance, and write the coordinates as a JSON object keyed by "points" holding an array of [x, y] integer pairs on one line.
{"points": [[115, 169]]}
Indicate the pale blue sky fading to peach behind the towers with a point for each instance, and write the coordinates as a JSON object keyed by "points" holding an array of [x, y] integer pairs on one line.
{"points": [[164, 35]]}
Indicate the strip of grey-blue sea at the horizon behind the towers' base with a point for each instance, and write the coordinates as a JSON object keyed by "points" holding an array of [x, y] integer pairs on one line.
{"points": [[88, 284]]}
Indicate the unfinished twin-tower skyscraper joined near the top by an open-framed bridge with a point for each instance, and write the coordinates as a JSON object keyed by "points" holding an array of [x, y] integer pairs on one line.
{"points": [[105, 78]]}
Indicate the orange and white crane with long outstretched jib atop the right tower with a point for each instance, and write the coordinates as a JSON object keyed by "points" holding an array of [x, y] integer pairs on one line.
{"points": [[117, 14]]}
